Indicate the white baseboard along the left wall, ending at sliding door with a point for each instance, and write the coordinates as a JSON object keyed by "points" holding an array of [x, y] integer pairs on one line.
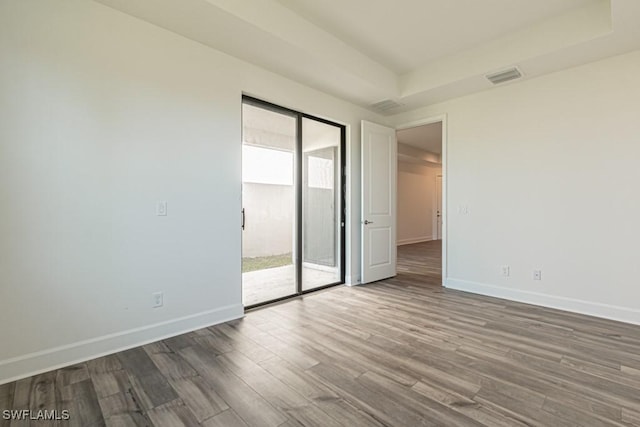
{"points": [[59, 357]]}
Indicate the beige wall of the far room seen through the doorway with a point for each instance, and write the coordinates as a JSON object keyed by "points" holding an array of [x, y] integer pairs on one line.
{"points": [[416, 202]]}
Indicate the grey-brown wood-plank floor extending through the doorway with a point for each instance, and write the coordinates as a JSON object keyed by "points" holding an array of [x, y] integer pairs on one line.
{"points": [[401, 352]]}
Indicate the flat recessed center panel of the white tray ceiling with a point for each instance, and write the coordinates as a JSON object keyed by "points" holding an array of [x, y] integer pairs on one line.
{"points": [[428, 29]]}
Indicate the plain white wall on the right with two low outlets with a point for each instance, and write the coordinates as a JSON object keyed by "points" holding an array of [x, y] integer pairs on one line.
{"points": [[527, 159]]}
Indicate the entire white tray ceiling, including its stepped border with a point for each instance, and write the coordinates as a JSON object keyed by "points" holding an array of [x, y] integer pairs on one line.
{"points": [[410, 52]]}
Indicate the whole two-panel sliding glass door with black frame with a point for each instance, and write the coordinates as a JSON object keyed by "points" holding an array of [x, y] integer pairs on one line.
{"points": [[292, 203]]}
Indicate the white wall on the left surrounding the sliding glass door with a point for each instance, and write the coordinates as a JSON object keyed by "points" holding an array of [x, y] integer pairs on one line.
{"points": [[101, 116]]}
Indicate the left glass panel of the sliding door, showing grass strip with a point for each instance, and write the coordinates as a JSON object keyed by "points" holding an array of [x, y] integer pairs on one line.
{"points": [[269, 268]]}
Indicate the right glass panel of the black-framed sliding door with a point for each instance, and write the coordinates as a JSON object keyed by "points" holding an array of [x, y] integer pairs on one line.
{"points": [[321, 204]]}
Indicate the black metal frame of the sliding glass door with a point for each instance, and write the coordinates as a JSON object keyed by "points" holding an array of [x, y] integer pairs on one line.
{"points": [[298, 194]]}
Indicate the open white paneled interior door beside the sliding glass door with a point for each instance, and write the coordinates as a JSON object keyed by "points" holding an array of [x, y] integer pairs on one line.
{"points": [[379, 175]]}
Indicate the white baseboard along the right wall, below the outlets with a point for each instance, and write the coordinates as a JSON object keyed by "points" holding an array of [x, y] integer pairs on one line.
{"points": [[606, 311]]}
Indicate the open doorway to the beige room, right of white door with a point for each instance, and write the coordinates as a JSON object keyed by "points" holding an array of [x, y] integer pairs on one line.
{"points": [[419, 202]]}
